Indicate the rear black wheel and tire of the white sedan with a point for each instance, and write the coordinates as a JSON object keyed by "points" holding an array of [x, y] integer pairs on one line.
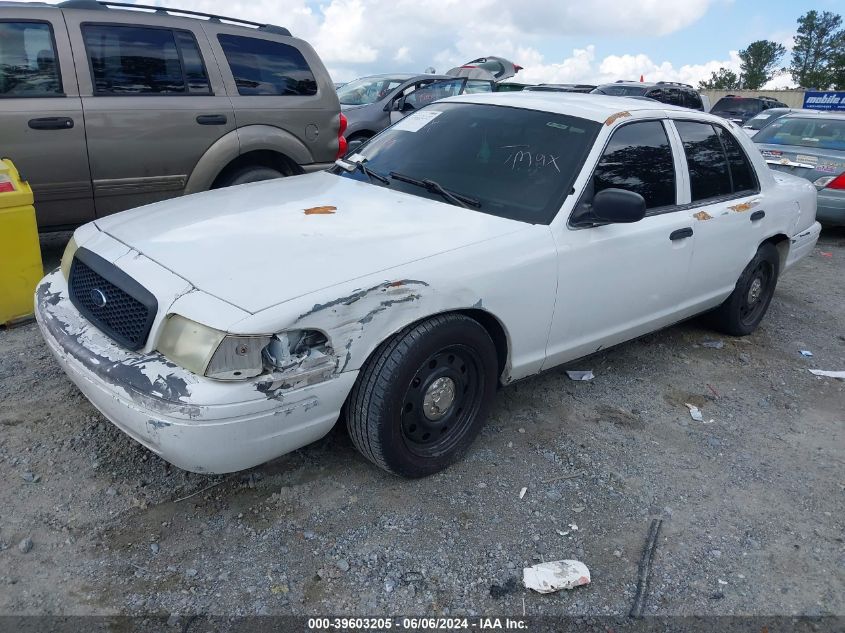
{"points": [[743, 310]]}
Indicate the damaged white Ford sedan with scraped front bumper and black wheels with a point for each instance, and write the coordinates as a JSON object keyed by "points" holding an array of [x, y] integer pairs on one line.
{"points": [[479, 241]]}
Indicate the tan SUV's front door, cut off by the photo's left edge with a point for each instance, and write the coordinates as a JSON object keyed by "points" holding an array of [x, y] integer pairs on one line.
{"points": [[43, 128]]}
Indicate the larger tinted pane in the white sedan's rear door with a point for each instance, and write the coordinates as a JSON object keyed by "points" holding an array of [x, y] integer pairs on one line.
{"points": [[708, 166]]}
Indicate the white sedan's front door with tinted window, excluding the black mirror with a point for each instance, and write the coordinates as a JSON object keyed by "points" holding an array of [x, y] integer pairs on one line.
{"points": [[618, 281]]}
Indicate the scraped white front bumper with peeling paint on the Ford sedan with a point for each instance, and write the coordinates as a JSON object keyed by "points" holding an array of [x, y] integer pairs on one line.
{"points": [[195, 423]]}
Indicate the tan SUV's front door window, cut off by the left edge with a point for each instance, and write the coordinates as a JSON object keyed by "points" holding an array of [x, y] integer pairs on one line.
{"points": [[28, 64]]}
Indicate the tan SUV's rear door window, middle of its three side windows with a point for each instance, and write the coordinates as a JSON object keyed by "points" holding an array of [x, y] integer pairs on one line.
{"points": [[131, 60]]}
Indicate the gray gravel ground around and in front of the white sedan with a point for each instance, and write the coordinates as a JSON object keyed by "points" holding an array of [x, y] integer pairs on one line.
{"points": [[752, 503]]}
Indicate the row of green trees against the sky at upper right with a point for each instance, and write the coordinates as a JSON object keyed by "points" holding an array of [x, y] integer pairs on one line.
{"points": [[818, 58]]}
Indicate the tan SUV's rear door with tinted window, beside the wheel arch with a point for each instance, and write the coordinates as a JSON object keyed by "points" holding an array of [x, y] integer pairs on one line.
{"points": [[154, 103]]}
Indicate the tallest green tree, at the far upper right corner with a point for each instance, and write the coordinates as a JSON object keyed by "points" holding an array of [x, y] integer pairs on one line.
{"points": [[816, 45]]}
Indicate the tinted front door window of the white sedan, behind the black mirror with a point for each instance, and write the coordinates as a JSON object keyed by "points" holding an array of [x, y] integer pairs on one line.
{"points": [[638, 158]]}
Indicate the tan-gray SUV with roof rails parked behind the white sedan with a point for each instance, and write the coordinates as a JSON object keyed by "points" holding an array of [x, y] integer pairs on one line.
{"points": [[104, 109]]}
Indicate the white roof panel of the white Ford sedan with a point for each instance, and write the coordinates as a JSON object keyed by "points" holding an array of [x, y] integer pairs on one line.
{"points": [[593, 107]]}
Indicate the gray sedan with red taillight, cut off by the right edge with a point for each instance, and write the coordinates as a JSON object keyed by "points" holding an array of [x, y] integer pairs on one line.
{"points": [[811, 145]]}
